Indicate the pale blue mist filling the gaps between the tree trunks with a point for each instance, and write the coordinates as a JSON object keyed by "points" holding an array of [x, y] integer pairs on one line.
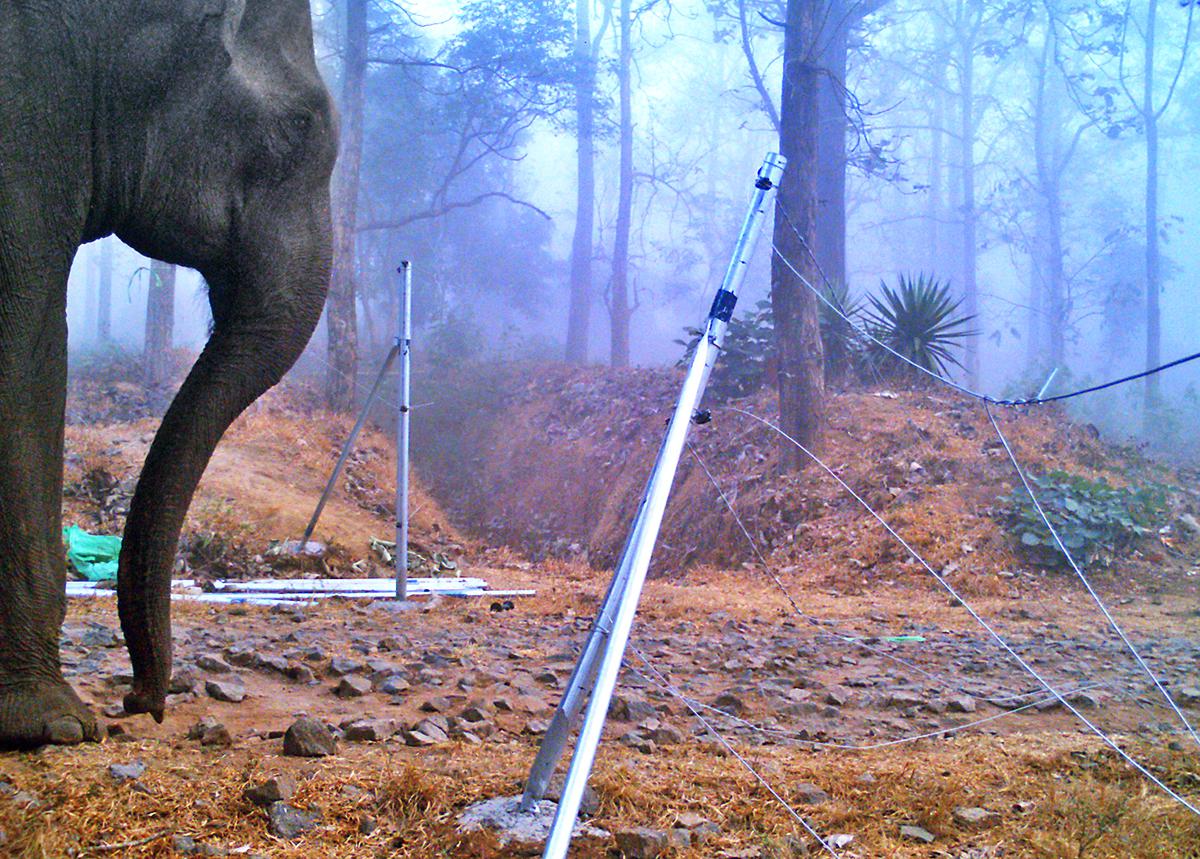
{"points": [[493, 279]]}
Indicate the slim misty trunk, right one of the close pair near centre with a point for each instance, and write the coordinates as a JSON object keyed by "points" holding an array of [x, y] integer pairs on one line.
{"points": [[620, 301]]}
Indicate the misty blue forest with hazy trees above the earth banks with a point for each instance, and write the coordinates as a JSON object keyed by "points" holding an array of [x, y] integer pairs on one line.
{"points": [[569, 178]]}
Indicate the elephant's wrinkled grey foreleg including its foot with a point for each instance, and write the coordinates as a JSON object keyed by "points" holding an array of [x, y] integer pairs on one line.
{"points": [[37, 705]]}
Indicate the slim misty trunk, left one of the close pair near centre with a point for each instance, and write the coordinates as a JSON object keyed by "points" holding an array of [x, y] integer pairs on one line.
{"points": [[579, 319]]}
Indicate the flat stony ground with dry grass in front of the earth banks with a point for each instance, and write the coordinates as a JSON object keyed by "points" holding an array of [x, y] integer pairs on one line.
{"points": [[290, 729]]}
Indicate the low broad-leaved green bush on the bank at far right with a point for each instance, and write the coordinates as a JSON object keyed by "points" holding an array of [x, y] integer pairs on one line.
{"points": [[1094, 519]]}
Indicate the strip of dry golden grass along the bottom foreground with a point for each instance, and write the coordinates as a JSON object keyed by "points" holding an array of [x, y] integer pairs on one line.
{"points": [[1065, 801]]}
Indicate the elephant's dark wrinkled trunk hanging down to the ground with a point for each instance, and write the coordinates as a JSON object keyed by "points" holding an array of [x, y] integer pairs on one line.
{"points": [[260, 332]]}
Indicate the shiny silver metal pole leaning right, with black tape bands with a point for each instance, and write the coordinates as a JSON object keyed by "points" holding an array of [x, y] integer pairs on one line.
{"points": [[601, 662]]}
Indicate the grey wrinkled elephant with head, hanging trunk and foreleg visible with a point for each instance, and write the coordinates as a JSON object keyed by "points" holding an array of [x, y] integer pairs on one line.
{"points": [[200, 133]]}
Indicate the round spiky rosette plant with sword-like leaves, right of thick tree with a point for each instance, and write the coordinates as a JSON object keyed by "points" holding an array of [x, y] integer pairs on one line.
{"points": [[919, 320]]}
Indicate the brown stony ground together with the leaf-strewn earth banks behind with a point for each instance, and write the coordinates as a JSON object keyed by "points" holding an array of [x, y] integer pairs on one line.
{"points": [[722, 633]]}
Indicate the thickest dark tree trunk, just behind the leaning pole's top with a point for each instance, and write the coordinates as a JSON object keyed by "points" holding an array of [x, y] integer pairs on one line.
{"points": [[794, 307]]}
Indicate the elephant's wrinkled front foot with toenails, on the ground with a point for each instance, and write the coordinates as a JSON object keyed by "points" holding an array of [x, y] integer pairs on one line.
{"points": [[47, 713]]}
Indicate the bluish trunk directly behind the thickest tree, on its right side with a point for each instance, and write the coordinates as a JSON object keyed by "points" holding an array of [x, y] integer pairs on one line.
{"points": [[831, 227]]}
